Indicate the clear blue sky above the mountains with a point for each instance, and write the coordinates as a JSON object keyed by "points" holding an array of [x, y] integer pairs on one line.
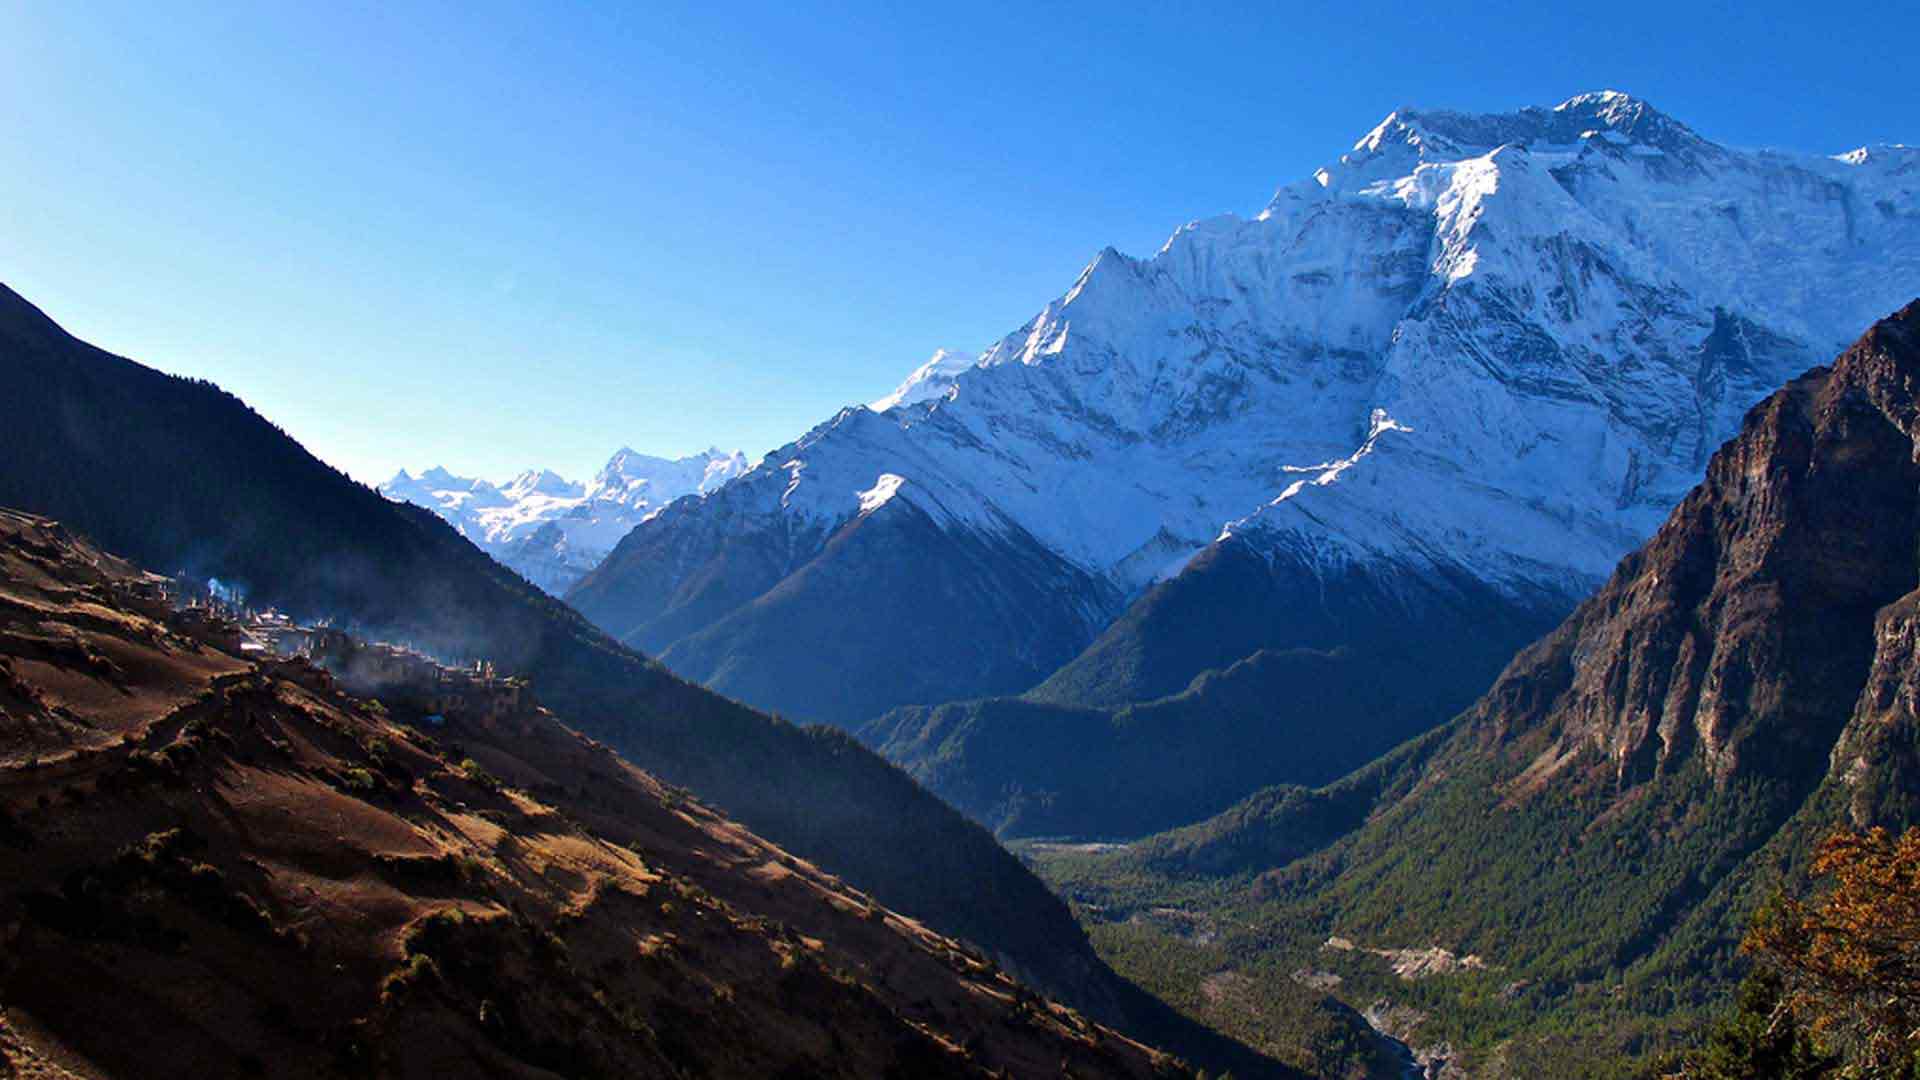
{"points": [[508, 235]]}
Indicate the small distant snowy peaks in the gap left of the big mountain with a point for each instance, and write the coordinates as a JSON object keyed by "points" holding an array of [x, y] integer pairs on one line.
{"points": [[552, 529]]}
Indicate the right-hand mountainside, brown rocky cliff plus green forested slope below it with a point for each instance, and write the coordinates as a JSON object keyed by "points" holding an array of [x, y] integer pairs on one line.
{"points": [[1602, 823]]}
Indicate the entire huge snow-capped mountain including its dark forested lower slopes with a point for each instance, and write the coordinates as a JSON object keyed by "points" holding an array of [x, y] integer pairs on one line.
{"points": [[1403, 420]]}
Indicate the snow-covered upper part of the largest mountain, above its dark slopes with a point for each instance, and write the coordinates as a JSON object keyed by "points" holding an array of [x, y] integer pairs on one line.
{"points": [[1541, 297]]}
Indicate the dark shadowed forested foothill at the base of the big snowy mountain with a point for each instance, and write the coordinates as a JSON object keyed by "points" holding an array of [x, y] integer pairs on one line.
{"points": [[1038, 766]]}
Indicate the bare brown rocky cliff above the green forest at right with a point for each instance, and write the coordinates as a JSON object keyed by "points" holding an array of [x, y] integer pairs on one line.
{"points": [[1744, 633]]}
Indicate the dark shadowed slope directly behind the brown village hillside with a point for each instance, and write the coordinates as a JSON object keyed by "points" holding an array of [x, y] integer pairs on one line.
{"points": [[183, 478]]}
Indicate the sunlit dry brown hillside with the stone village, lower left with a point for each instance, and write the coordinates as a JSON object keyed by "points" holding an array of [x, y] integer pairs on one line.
{"points": [[222, 868]]}
